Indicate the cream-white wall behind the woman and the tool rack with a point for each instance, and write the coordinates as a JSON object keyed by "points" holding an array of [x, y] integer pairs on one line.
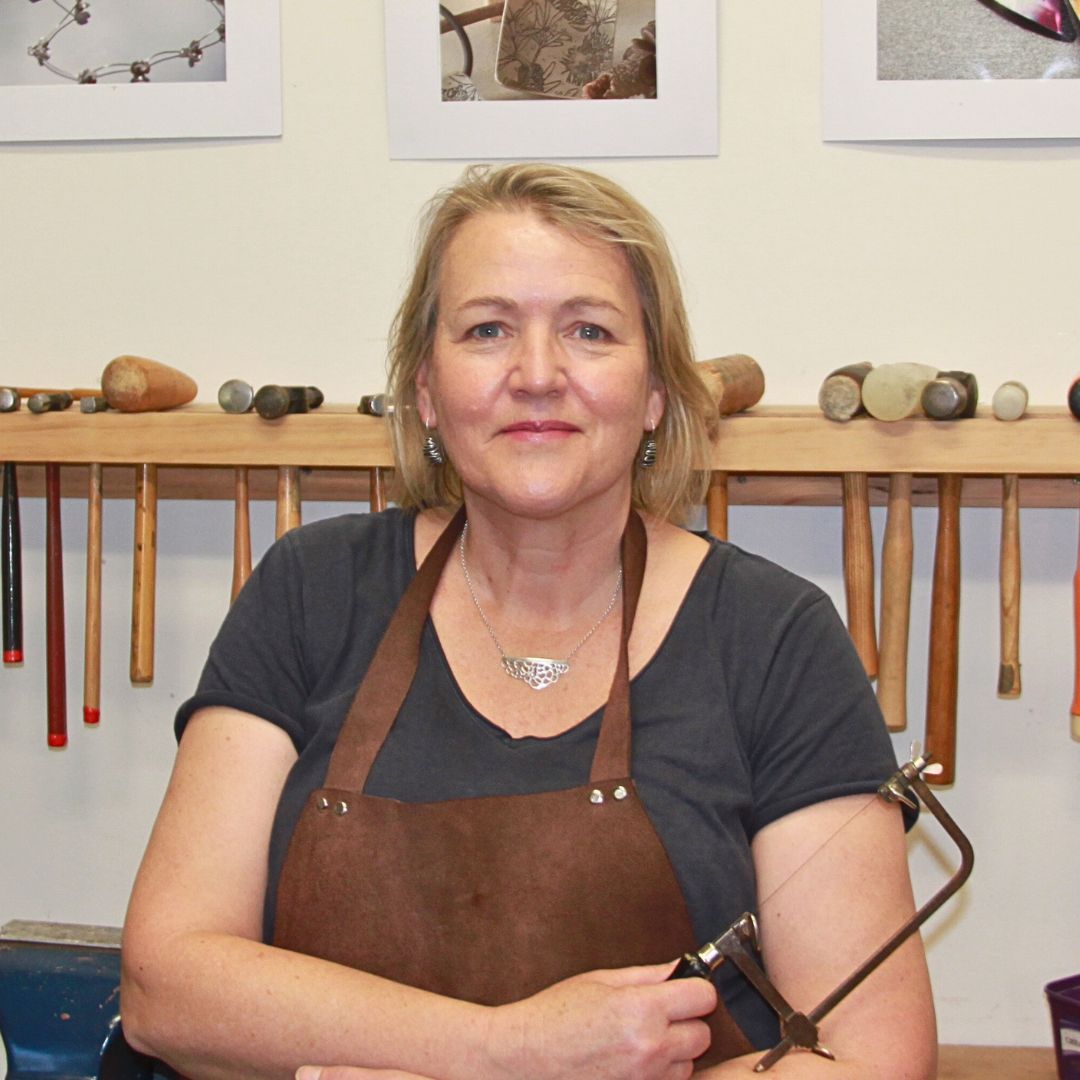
{"points": [[281, 261]]}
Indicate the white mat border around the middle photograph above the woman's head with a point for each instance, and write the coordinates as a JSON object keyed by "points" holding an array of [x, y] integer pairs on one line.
{"points": [[681, 121]]}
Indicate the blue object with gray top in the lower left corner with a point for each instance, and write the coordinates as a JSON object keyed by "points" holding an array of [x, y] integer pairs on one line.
{"points": [[60, 1005]]}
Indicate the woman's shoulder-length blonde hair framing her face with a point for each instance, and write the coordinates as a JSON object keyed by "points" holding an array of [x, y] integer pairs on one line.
{"points": [[588, 206]]}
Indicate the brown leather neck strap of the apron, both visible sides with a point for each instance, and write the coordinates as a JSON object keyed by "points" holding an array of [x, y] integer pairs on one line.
{"points": [[389, 677]]}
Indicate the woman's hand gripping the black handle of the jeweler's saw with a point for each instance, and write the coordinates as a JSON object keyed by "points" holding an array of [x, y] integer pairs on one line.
{"points": [[625, 1023]]}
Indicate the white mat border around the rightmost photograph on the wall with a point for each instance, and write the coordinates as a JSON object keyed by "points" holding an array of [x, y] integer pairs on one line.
{"points": [[858, 106]]}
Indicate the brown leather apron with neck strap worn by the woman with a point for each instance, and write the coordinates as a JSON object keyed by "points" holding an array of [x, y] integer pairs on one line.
{"points": [[489, 899]]}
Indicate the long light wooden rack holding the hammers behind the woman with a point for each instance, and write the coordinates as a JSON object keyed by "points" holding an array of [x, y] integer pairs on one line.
{"points": [[772, 455]]}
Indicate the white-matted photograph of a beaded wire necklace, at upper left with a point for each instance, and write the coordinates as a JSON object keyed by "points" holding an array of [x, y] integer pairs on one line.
{"points": [[134, 70]]}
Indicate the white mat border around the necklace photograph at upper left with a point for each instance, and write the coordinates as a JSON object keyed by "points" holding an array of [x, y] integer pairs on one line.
{"points": [[247, 103]]}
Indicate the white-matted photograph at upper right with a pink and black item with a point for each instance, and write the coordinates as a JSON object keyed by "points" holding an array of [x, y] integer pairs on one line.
{"points": [[951, 70]]}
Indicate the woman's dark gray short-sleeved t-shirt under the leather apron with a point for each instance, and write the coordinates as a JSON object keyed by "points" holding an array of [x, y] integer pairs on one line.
{"points": [[754, 707]]}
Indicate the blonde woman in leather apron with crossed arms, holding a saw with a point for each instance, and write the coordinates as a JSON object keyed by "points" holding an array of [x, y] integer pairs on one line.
{"points": [[469, 868]]}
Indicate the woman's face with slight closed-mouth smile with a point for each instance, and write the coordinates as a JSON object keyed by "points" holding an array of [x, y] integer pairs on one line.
{"points": [[538, 381]]}
